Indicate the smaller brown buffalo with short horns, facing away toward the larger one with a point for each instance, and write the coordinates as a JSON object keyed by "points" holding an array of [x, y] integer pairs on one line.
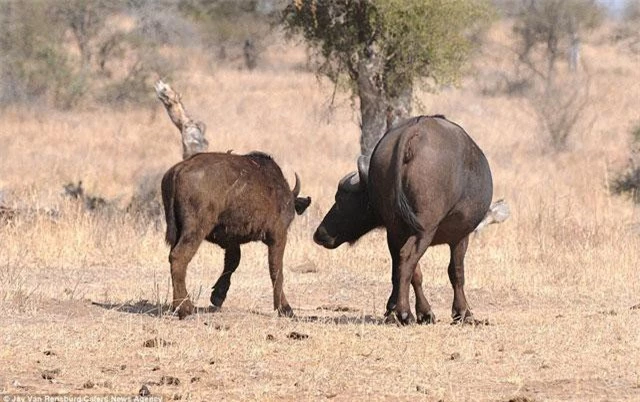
{"points": [[228, 200]]}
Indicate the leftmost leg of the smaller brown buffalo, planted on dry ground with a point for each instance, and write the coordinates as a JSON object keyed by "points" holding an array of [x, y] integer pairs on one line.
{"points": [[179, 258]]}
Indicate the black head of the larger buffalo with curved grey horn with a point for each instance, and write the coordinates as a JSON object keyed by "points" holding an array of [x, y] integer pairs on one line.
{"points": [[351, 216]]}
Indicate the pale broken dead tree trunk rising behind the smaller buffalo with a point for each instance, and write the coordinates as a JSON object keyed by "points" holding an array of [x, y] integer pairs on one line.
{"points": [[192, 131]]}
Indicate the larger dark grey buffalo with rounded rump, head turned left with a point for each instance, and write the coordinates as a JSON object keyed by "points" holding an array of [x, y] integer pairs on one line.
{"points": [[426, 183]]}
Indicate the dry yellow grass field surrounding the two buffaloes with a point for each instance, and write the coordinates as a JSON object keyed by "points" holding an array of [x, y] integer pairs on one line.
{"points": [[556, 281]]}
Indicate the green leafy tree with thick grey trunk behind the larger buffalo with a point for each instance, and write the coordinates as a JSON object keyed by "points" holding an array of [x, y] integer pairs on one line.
{"points": [[382, 48]]}
